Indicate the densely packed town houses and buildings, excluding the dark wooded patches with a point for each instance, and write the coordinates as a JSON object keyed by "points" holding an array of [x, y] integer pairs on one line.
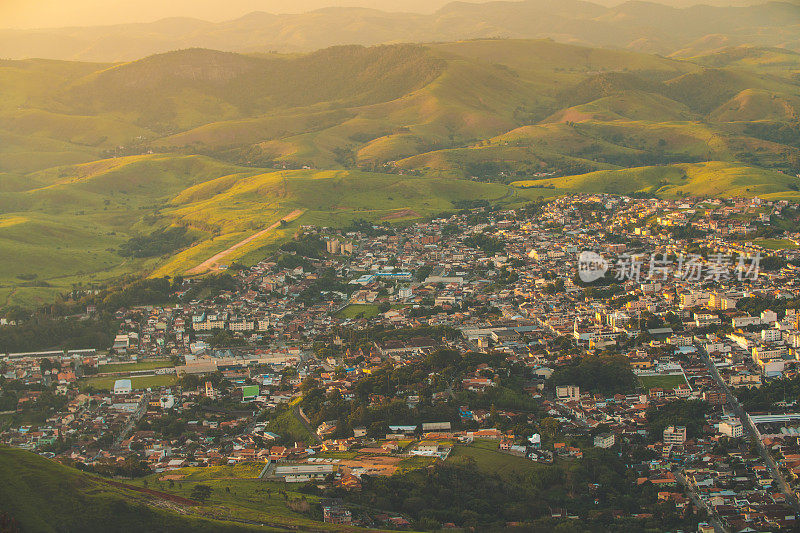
{"points": [[686, 337]]}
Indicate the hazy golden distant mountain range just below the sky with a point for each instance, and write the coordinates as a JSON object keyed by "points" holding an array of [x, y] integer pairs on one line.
{"points": [[635, 25]]}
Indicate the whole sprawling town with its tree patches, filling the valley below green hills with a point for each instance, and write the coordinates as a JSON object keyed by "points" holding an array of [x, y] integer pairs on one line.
{"points": [[660, 334]]}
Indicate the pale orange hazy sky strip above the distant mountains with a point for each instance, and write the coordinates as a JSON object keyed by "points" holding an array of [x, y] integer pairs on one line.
{"points": [[58, 13]]}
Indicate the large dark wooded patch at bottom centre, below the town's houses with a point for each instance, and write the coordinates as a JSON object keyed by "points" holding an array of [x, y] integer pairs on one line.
{"points": [[464, 493]]}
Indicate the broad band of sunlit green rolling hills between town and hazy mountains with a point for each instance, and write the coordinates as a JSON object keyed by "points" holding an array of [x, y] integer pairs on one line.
{"points": [[224, 145]]}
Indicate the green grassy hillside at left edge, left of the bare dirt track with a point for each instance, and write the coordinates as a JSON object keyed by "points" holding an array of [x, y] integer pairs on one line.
{"points": [[68, 225]]}
